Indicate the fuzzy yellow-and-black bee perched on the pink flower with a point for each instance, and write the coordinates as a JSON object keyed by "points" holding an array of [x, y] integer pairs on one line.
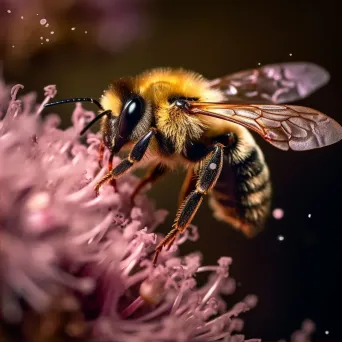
{"points": [[176, 117]]}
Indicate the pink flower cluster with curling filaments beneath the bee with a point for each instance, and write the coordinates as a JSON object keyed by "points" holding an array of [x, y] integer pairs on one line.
{"points": [[55, 234]]}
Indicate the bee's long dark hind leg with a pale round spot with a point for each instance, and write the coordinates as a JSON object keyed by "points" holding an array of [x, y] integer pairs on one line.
{"points": [[208, 175]]}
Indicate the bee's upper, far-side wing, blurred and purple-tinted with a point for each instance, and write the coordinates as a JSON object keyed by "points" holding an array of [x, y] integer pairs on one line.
{"points": [[274, 83]]}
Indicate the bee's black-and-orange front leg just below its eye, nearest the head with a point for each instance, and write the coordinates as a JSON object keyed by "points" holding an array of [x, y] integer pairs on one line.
{"points": [[134, 156]]}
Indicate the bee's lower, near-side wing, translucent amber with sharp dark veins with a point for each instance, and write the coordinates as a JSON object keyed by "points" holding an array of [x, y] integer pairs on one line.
{"points": [[286, 127]]}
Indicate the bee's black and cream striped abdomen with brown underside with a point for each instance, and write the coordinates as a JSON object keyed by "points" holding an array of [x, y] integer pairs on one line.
{"points": [[242, 195]]}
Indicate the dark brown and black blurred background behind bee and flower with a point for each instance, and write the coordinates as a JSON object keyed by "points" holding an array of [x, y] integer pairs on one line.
{"points": [[81, 45]]}
